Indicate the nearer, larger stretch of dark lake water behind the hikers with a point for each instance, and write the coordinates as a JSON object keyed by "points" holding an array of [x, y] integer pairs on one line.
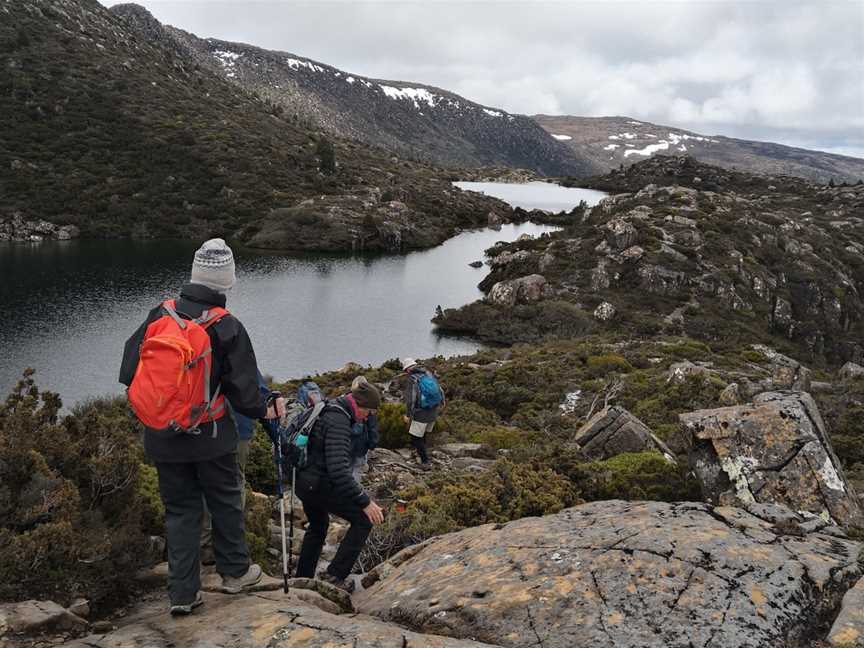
{"points": [[68, 307]]}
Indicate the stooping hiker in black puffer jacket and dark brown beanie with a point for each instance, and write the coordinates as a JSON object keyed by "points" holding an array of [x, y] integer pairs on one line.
{"points": [[326, 486]]}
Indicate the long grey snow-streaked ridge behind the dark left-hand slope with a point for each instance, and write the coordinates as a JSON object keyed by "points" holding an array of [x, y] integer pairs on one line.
{"points": [[411, 119]]}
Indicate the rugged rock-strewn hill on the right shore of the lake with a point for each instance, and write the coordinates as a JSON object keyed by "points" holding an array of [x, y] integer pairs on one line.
{"points": [[726, 258]]}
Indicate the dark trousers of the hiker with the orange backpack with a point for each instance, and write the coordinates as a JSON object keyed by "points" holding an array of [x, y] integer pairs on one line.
{"points": [[181, 486]]}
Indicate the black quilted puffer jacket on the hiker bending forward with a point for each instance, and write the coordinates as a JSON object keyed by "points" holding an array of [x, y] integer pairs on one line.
{"points": [[331, 457]]}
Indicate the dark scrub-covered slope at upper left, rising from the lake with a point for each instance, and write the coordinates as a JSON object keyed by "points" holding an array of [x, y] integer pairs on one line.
{"points": [[109, 128]]}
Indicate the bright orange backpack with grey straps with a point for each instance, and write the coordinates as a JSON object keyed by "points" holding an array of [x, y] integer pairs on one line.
{"points": [[170, 392]]}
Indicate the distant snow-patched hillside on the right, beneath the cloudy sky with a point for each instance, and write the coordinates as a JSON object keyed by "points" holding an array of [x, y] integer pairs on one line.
{"points": [[611, 141]]}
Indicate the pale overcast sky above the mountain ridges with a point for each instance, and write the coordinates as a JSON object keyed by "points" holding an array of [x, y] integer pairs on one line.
{"points": [[787, 71]]}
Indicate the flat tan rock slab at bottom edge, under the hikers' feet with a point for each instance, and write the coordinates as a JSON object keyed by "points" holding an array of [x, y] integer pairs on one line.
{"points": [[266, 619]]}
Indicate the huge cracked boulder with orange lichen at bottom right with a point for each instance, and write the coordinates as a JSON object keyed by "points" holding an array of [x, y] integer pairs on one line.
{"points": [[624, 574]]}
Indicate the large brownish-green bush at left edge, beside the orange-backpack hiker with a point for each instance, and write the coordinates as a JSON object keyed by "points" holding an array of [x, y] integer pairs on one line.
{"points": [[75, 510]]}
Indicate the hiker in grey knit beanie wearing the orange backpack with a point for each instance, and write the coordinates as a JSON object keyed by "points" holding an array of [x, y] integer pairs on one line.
{"points": [[183, 363]]}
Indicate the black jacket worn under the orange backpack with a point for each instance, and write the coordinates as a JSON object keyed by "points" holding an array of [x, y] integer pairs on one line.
{"points": [[234, 368]]}
